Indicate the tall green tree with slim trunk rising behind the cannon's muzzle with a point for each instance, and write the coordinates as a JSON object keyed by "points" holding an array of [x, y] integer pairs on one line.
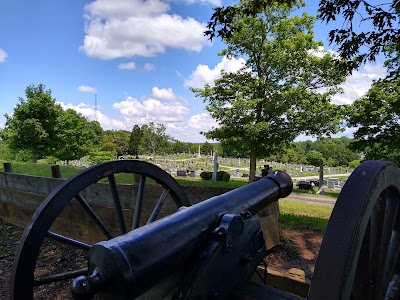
{"points": [[283, 90]]}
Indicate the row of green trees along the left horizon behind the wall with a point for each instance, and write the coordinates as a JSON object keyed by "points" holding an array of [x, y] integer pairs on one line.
{"points": [[40, 128]]}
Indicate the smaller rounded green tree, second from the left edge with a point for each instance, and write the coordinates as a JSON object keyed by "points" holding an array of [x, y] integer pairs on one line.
{"points": [[76, 137]]}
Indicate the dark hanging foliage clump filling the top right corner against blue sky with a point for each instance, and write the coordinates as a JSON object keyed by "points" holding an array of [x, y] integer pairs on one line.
{"points": [[368, 29]]}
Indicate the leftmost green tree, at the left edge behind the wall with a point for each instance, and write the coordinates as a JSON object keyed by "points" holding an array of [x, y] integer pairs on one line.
{"points": [[32, 127]]}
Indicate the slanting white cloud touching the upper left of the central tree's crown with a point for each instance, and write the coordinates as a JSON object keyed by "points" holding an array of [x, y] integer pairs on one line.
{"points": [[204, 75]]}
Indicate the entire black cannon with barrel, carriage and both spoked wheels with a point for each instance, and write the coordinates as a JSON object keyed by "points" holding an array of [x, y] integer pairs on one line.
{"points": [[211, 249]]}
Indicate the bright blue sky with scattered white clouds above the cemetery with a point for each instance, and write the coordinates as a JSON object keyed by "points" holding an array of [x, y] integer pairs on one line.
{"points": [[135, 59]]}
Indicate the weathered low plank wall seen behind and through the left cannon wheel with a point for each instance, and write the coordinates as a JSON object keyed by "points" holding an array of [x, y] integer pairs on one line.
{"points": [[20, 195]]}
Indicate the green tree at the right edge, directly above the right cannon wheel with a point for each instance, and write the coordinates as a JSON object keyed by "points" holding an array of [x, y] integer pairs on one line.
{"points": [[376, 115]]}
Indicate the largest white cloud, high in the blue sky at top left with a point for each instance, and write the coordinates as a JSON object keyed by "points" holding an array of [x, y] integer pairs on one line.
{"points": [[125, 28]]}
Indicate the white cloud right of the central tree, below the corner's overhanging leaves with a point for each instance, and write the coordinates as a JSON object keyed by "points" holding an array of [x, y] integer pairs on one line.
{"points": [[359, 83]]}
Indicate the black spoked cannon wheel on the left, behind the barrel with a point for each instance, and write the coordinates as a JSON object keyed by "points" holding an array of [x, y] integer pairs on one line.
{"points": [[28, 251]]}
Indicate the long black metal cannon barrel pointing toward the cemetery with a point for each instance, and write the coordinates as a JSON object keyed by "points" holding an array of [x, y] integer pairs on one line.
{"points": [[128, 265]]}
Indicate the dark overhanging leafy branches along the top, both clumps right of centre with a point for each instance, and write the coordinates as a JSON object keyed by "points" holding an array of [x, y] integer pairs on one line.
{"points": [[357, 42]]}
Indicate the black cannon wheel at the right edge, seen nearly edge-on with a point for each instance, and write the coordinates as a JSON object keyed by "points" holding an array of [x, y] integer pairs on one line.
{"points": [[359, 255]]}
